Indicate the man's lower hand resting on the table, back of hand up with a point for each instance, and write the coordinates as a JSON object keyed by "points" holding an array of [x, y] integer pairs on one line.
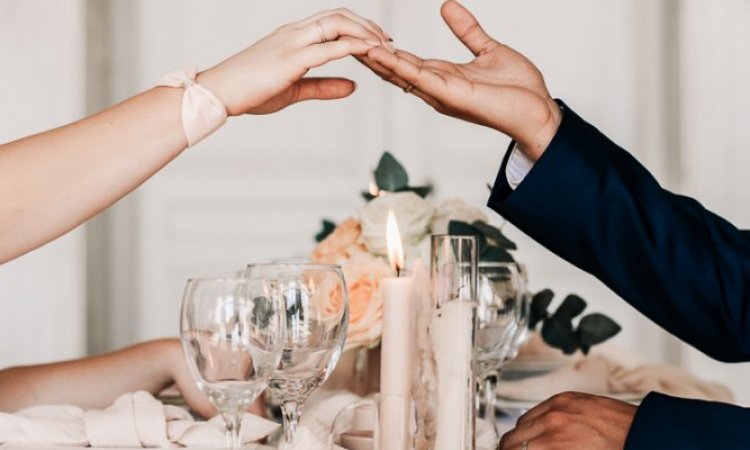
{"points": [[572, 421]]}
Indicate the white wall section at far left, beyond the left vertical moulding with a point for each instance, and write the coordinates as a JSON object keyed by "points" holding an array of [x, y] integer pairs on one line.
{"points": [[42, 294]]}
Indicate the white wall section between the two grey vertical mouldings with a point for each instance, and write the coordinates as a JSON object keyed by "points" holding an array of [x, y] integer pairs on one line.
{"points": [[257, 189]]}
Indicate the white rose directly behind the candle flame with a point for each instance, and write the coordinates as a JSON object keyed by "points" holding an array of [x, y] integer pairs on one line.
{"points": [[413, 215]]}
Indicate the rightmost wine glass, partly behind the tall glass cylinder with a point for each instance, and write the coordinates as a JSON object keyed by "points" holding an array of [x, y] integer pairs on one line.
{"points": [[499, 313]]}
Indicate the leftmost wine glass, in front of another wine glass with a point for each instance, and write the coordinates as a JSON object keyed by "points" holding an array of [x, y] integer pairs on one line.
{"points": [[231, 334]]}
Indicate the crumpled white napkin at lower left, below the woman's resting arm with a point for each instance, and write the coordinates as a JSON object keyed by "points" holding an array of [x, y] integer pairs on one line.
{"points": [[133, 420]]}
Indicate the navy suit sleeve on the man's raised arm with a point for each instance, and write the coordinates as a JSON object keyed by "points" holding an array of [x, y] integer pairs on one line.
{"points": [[593, 204]]}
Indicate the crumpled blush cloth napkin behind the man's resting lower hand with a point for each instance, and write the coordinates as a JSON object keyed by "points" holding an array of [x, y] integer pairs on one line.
{"points": [[600, 375]]}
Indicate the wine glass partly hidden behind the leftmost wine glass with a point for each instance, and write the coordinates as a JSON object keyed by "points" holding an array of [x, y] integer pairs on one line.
{"points": [[316, 317]]}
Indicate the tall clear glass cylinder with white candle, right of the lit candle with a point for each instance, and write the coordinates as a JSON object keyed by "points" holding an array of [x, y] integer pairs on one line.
{"points": [[453, 329]]}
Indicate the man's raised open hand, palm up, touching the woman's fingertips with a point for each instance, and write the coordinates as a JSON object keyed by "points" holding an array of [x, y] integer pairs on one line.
{"points": [[500, 88]]}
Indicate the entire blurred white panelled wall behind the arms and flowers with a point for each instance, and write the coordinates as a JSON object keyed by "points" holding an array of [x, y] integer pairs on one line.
{"points": [[666, 79]]}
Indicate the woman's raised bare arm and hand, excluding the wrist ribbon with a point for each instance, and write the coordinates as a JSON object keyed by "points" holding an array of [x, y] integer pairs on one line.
{"points": [[54, 181]]}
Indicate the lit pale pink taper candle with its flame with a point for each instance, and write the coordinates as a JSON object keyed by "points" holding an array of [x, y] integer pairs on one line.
{"points": [[396, 347]]}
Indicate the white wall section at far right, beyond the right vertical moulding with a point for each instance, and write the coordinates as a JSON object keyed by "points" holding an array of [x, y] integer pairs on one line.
{"points": [[714, 132]]}
